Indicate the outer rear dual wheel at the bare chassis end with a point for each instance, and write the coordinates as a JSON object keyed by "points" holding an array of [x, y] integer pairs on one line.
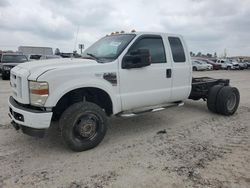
{"points": [[228, 100]]}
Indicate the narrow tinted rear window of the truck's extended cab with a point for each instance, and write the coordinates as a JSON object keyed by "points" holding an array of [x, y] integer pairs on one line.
{"points": [[177, 49]]}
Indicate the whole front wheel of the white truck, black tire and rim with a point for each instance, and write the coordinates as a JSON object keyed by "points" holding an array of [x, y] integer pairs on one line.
{"points": [[84, 126]]}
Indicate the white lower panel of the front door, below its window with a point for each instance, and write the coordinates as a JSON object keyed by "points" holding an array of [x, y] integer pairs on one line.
{"points": [[145, 86]]}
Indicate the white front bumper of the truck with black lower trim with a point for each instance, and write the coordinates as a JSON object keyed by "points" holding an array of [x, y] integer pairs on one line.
{"points": [[29, 120]]}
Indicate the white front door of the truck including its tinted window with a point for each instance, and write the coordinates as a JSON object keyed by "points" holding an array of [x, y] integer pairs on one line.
{"points": [[150, 85]]}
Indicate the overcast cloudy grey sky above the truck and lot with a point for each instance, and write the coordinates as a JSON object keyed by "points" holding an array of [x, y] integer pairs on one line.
{"points": [[207, 25]]}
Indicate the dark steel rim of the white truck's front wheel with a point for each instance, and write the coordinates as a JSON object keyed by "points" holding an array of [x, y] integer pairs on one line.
{"points": [[86, 126]]}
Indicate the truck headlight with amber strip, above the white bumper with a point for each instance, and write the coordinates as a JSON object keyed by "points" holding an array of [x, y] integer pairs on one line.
{"points": [[39, 92]]}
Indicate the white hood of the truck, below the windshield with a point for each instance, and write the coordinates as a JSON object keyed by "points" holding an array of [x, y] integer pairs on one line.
{"points": [[37, 68]]}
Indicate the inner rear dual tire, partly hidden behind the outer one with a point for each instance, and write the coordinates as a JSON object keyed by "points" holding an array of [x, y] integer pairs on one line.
{"points": [[212, 98]]}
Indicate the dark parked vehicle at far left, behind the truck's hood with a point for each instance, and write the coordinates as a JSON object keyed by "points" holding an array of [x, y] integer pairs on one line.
{"points": [[8, 61]]}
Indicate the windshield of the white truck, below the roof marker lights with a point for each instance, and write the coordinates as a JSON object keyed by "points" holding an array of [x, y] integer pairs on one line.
{"points": [[108, 48]]}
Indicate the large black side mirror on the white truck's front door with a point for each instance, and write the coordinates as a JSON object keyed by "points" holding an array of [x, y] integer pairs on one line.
{"points": [[136, 59]]}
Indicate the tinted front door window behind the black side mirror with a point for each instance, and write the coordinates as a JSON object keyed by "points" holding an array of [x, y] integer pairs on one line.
{"points": [[155, 47]]}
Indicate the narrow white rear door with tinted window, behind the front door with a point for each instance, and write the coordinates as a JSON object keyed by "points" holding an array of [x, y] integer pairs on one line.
{"points": [[182, 69]]}
